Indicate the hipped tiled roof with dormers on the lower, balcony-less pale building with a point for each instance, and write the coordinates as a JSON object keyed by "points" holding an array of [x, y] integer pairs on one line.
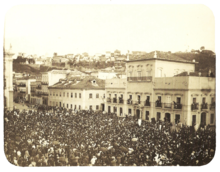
{"points": [[83, 83]]}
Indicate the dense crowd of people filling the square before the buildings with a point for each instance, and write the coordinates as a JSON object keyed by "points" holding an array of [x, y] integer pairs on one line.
{"points": [[61, 138]]}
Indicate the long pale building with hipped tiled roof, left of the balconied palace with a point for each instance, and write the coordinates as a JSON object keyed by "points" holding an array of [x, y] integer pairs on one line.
{"points": [[78, 93]]}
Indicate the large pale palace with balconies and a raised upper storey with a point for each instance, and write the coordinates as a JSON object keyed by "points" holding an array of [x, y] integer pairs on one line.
{"points": [[153, 91]]}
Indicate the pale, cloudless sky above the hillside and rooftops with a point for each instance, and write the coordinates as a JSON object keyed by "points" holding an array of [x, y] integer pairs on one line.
{"points": [[97, 28]]}
